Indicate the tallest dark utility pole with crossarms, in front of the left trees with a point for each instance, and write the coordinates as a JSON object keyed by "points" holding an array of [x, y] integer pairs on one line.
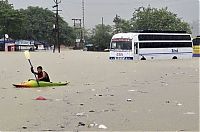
{"points": [[57, 26]]}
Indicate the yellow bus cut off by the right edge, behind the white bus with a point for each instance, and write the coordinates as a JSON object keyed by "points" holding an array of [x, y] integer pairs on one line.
{"points": [[196, 47]]}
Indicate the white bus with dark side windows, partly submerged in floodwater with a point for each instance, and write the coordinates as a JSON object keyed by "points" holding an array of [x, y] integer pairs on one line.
{"points": [[151, 45]]}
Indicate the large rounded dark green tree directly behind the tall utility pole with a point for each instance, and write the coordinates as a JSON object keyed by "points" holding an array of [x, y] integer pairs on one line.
{"points": [[39, 23]]}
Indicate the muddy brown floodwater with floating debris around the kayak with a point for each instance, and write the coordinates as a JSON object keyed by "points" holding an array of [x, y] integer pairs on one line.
{"points": [[103, 95]]}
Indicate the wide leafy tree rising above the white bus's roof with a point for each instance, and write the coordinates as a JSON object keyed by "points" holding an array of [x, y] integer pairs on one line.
{"points": [[157, 19]]}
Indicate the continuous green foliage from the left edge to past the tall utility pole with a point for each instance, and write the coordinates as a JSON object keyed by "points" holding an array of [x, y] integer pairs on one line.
{"points": [[33, 23]]}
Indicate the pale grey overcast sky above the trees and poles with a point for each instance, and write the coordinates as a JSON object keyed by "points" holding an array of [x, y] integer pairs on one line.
{"points": [[188, 10]]}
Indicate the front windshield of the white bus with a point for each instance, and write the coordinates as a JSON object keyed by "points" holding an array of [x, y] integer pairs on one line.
{"points": [[121, 45]]}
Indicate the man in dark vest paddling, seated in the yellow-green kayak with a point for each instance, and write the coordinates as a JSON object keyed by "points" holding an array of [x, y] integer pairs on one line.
{"points": [[41, 75]]}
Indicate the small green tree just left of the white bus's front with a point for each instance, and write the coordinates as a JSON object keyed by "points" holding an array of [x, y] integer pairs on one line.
{"points": [[101, 36]]}
